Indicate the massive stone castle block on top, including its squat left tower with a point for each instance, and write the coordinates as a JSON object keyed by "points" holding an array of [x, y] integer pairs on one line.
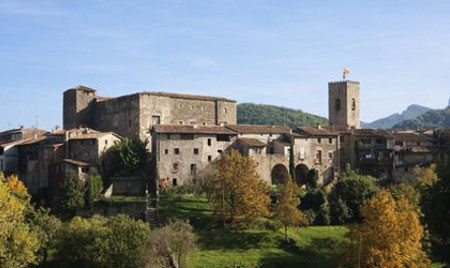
{"points": [[134, 115]]}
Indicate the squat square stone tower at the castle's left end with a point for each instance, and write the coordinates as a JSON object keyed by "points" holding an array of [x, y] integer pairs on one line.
{"points": [[77, 107]]}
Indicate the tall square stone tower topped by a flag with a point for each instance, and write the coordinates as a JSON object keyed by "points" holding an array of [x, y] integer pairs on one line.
{"points": [[343, 105]]}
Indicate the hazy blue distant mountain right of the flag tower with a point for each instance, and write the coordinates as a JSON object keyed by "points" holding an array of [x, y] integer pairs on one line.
{"points": [[410, 113]]}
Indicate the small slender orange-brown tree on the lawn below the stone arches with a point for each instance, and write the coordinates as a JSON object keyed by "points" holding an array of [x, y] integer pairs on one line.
{"points": [[286, 210]]}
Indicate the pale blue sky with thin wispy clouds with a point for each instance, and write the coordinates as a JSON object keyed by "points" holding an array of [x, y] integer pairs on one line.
{"points": [[280, 52]]}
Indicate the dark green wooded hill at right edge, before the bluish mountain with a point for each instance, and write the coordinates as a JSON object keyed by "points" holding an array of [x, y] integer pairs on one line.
{"points": [[432, 119]]}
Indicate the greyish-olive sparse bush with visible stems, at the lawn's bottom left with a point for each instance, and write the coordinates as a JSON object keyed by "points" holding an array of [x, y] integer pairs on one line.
{"points": [[169, 245]]}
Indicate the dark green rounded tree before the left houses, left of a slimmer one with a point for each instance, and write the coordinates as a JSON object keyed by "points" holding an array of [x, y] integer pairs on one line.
{"points": [[72, 194]]}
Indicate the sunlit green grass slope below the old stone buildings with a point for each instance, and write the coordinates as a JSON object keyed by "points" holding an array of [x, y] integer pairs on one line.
{"points": [[310, 247]]}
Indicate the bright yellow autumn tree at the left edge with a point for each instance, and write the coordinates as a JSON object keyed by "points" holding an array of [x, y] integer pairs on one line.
{"points": [[18, 241]]}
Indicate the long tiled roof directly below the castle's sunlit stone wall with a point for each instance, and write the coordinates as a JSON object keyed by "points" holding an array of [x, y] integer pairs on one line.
{"points": [[191, 129]]}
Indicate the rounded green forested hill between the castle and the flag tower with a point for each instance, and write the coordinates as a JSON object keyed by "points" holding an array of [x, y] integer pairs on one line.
{"points": [[263, 114]]}
